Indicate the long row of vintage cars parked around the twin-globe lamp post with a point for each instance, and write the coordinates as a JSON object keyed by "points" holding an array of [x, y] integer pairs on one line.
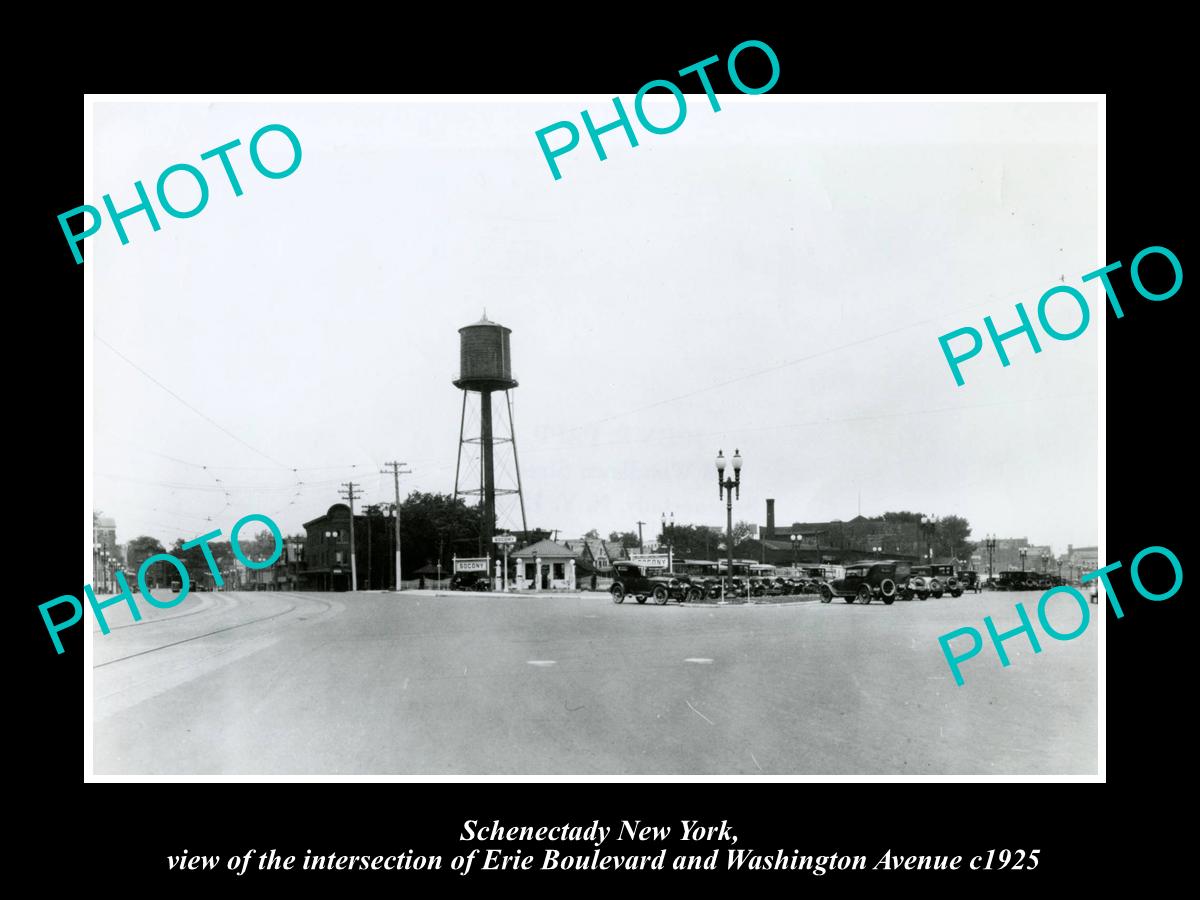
{"points": [[886, 580]]}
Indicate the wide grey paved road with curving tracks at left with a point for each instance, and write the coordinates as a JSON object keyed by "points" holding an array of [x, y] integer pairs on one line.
{"points": [[281, 683]]}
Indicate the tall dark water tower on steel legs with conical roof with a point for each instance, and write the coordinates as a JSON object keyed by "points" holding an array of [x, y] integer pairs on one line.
{"points": [[487, 368]]}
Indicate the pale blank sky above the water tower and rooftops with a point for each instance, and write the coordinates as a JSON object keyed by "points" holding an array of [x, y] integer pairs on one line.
{"points": [[772, 278]]}
